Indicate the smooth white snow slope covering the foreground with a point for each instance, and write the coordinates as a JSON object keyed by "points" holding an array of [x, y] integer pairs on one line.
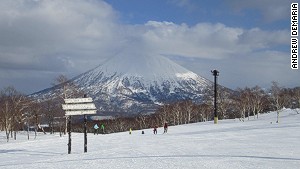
{"points": [[258, 143]]}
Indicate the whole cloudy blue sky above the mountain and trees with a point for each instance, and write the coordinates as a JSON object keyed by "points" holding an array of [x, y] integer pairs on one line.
{"points": [[247, 41]]}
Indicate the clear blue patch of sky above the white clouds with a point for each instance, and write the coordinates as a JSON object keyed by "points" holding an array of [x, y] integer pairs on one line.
{"points": [[191, 12]]}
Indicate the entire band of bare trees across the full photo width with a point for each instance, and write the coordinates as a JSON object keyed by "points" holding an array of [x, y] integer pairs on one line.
{"points": [[20, 112]]}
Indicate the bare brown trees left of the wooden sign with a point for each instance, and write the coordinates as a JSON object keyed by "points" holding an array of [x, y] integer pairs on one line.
{"points": [[19, 112]]}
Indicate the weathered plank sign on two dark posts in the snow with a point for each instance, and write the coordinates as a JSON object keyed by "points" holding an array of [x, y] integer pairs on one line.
{"points": [[78, 106]]}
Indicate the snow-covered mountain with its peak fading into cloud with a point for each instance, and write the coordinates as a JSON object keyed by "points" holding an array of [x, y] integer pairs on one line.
{"points": [[138, 84]]}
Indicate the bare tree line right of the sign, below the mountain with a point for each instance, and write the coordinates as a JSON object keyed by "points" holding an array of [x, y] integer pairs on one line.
{"points": [[243, 104]]}
